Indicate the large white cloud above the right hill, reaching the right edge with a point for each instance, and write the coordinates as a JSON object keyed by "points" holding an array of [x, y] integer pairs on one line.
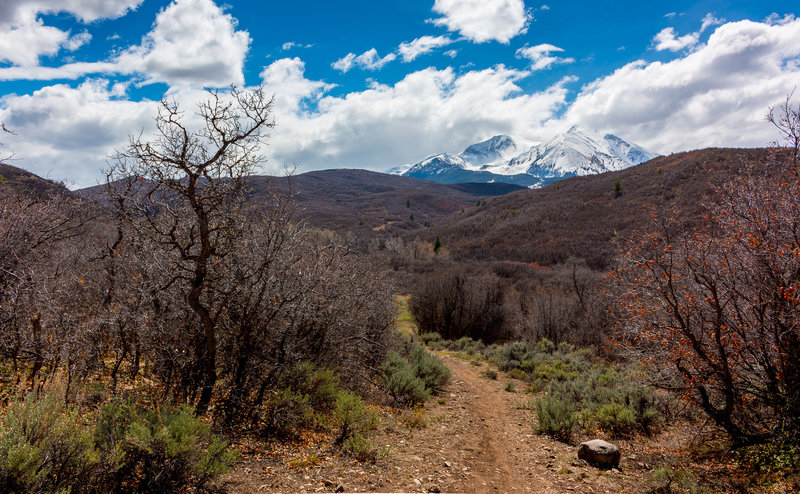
{"points": [[714, 96]]}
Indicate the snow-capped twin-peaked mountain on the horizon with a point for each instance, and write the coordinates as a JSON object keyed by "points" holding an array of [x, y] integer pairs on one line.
{"points": [[577, 152]]}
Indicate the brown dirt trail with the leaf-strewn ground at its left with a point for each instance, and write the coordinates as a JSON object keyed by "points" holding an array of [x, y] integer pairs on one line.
{"points": [[477, 437]]}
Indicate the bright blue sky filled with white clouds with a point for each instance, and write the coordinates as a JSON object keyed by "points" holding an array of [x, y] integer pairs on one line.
{"points": [[373, 85]]}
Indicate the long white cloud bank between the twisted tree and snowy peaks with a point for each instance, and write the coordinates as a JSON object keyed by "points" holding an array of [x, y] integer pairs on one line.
{"points": [[434, 109]]}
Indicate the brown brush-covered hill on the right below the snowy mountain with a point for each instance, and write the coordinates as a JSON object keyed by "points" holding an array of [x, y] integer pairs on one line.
{"points": [[582, 216]]}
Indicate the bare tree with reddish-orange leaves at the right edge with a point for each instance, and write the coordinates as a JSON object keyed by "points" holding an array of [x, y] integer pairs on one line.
{"points": [[715, 311]]}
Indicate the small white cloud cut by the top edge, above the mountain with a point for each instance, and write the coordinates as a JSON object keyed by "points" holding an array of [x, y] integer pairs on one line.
{"points": [[483, 20]]}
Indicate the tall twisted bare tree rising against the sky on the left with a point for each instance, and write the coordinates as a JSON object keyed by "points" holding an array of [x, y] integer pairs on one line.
{"points": [[183, 193]]}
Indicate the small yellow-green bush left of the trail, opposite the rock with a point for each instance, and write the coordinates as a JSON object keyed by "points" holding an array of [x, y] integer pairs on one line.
{"points": [[356, 423]]}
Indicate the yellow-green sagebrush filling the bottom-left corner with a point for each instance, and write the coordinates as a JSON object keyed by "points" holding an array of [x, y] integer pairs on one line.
{"points": [[45, 448]]}
